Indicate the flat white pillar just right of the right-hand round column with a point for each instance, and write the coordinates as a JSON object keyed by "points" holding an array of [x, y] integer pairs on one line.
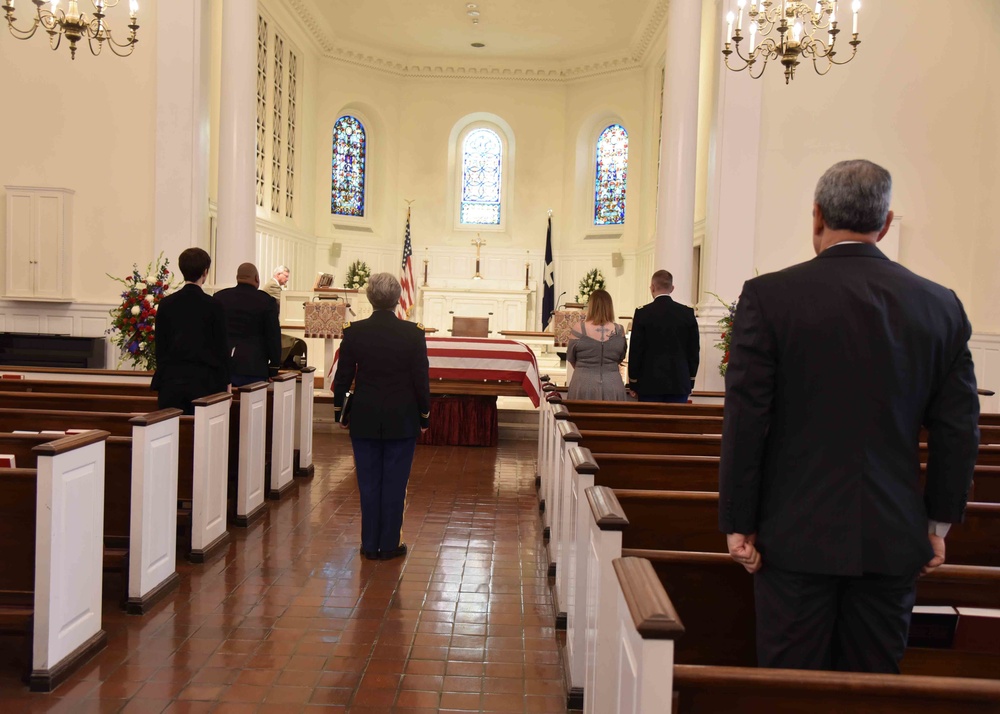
{"points": [[728, 253]]}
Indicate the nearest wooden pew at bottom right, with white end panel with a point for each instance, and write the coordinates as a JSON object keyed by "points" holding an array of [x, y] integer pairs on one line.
{"points": [[645, 673]]}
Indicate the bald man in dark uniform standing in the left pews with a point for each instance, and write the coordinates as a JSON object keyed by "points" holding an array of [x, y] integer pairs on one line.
{"points": [[252, 328]]}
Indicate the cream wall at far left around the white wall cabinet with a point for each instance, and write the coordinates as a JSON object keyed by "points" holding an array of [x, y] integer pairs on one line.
{"points": [[86, 125]]}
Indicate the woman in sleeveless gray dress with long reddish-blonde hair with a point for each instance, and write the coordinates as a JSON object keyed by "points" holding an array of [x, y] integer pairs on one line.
{"points": [[596, 350]]}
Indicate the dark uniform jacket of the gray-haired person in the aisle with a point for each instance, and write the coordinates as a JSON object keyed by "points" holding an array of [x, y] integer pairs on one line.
{"points": [[386, 358]]}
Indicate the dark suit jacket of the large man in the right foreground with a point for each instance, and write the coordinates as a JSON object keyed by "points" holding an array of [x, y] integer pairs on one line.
{"points": [[834, 366]]}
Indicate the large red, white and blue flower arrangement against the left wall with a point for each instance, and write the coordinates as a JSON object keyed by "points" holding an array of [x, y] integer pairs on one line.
{"points": [[133, 322]]}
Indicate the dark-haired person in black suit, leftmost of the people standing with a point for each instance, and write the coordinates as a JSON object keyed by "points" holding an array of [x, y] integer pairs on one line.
{"points": [[190, 343]]}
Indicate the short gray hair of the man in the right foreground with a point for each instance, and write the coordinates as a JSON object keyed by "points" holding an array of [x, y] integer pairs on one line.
{"points": [[854, 196]]}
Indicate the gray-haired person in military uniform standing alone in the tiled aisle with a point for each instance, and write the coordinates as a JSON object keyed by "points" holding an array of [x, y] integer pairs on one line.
{"points": [[386, 359]]}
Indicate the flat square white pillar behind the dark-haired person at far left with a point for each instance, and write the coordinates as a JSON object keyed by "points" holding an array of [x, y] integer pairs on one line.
{"points": [[180, 209]]}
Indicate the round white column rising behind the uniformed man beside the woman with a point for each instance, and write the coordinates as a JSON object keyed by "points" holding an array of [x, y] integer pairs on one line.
{"points": [[678, 148]]}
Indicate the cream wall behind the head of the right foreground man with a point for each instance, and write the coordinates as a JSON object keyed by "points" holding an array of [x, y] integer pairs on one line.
{"points": [[919, 99]]}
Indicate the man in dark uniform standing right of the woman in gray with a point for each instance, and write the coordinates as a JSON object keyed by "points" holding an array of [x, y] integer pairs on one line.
{"points": [[664, 348]]}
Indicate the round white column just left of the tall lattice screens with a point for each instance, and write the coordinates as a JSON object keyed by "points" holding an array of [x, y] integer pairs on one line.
{"points": [[237, 140]]}
